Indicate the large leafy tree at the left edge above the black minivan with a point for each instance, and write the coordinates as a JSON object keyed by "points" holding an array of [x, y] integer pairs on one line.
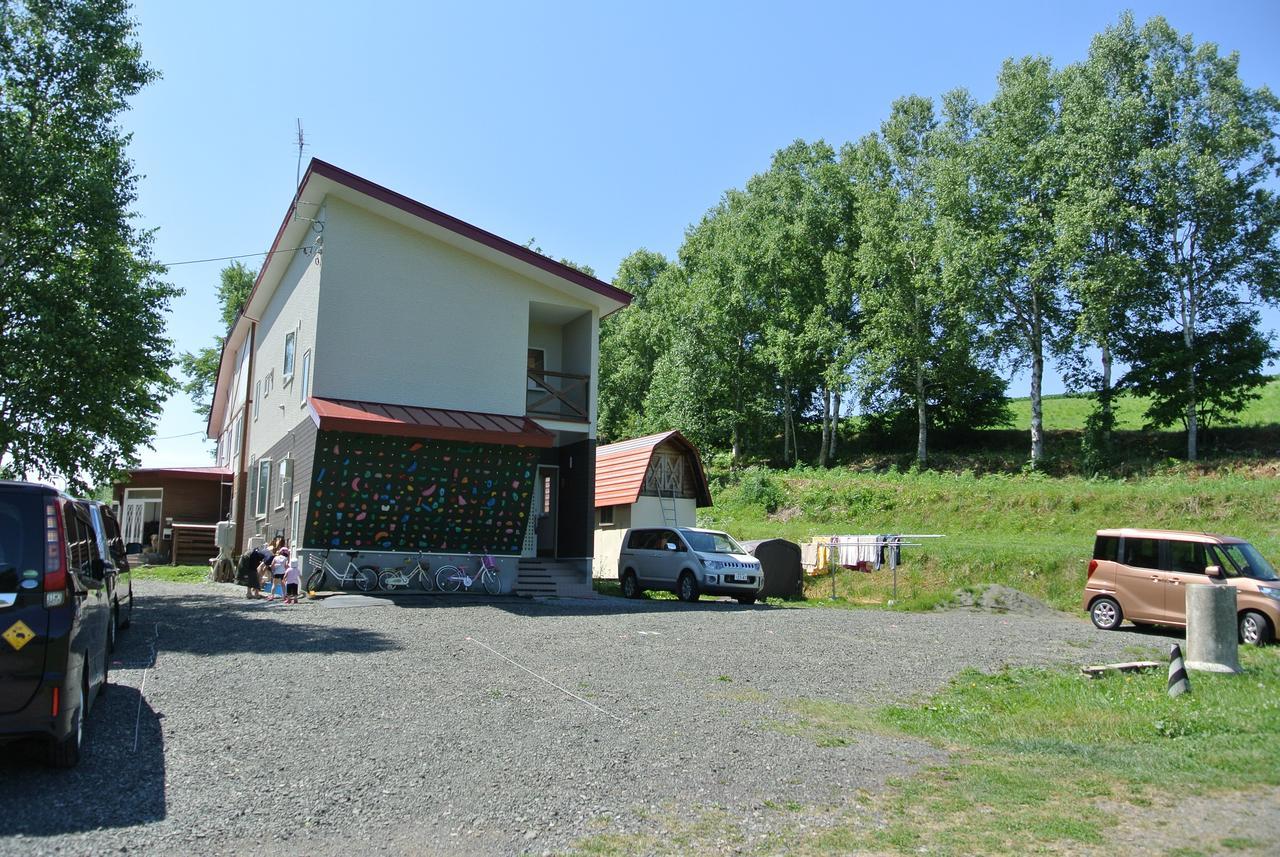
{"points": [[84, 356]]}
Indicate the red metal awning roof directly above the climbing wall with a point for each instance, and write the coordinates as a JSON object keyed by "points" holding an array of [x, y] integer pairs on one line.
{"points": [[437, 424]]}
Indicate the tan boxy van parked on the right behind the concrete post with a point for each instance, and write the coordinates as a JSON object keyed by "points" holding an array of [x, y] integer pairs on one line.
{"points": [[1142, 576]]}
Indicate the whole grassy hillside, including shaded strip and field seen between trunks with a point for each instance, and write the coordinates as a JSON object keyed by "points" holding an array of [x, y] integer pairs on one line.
{"points": [[1030, 531]]}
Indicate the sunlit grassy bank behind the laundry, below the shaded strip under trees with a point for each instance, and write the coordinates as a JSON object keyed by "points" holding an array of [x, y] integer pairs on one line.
{"points": [[1027, 531]]}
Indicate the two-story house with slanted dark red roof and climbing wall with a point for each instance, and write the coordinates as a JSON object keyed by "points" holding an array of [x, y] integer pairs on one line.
{"points": [[401, 381]]}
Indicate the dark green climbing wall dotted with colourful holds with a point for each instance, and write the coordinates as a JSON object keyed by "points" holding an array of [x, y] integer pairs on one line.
{"points": [[403, 494]]}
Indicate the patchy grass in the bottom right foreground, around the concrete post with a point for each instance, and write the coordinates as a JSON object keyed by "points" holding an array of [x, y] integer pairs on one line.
{"points": [[1037, 762]]}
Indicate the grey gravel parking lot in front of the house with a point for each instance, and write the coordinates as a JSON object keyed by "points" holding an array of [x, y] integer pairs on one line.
{"points": [[459, 726]]}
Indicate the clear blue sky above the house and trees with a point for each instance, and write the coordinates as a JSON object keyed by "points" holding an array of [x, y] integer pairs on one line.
{"points": [[596, 129]]}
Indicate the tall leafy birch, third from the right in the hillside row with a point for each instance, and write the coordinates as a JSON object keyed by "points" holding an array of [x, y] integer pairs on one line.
{"points": [[1005, 240]]}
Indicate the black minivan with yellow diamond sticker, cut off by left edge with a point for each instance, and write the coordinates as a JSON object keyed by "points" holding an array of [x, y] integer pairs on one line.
{"points": [[54, 618]]}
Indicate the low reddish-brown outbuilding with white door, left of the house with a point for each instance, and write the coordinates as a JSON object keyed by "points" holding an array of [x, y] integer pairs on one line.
{"points": [[172, 511]]}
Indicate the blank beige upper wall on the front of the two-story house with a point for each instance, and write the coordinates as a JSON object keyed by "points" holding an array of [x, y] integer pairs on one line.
{"points": [[412, 320]]}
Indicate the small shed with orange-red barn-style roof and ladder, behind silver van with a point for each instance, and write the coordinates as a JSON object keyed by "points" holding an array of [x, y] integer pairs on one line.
{"points": [[652, 482]]}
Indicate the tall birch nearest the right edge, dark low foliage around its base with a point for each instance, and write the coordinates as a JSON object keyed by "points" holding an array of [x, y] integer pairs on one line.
{"points": [[1210, 224]]}
